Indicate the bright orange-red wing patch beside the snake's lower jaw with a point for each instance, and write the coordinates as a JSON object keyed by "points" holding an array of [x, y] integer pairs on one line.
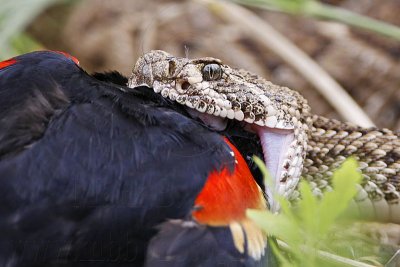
{"points": [[227, 195]]}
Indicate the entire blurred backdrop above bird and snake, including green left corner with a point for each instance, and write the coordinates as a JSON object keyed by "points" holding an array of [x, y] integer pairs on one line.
{"points": [[110, 35]]}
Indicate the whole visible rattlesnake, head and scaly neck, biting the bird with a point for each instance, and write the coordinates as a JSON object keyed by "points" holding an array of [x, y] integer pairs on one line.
{"points": [[295, 142]]}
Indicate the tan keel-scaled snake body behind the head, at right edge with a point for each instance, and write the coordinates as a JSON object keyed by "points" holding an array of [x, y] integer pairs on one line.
{"points": [[378, 153]]}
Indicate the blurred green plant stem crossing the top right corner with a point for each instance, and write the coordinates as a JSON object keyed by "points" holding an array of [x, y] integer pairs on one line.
{"points": [[319, 10]]}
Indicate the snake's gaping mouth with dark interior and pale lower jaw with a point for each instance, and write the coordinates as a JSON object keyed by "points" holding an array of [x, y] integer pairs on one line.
{"points": [[273, 145]]}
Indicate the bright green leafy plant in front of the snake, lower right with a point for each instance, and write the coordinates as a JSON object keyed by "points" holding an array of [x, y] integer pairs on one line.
{"points": [[315, 226]]}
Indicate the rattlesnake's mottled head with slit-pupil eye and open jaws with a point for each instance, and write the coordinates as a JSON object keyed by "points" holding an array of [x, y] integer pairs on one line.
{"points": [[215, 93]]}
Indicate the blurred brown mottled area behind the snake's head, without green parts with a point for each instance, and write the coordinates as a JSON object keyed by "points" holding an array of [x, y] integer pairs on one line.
{"points": [[108, 35]]}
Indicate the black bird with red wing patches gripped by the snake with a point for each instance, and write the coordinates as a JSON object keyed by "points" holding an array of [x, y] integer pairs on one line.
{"points": [[93, 174]]}
